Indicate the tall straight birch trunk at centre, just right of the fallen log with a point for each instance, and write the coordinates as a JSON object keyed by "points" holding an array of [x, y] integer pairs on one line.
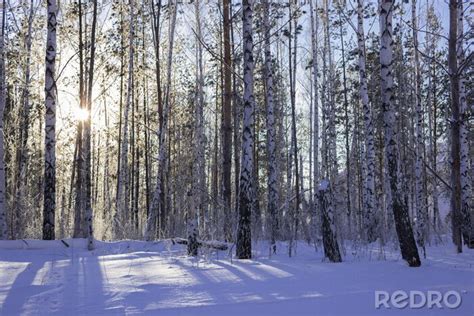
{"points": [[246, 185]]}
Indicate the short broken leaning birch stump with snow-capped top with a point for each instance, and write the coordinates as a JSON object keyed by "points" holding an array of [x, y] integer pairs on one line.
{"points": [[331, 246]]}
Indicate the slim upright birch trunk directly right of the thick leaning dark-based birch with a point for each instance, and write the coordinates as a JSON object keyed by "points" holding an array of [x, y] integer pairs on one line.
{"points": [[421, 211]]}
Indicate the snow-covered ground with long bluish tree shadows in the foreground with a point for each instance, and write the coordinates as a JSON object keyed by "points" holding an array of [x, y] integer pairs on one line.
{"points": [[131, 277]]}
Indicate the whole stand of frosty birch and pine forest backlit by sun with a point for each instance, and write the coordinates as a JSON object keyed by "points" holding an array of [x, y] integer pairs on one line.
{"points": [[221, 120]]}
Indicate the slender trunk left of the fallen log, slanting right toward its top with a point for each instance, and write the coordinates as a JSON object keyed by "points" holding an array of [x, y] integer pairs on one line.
{"points": [[157, 212]]}
